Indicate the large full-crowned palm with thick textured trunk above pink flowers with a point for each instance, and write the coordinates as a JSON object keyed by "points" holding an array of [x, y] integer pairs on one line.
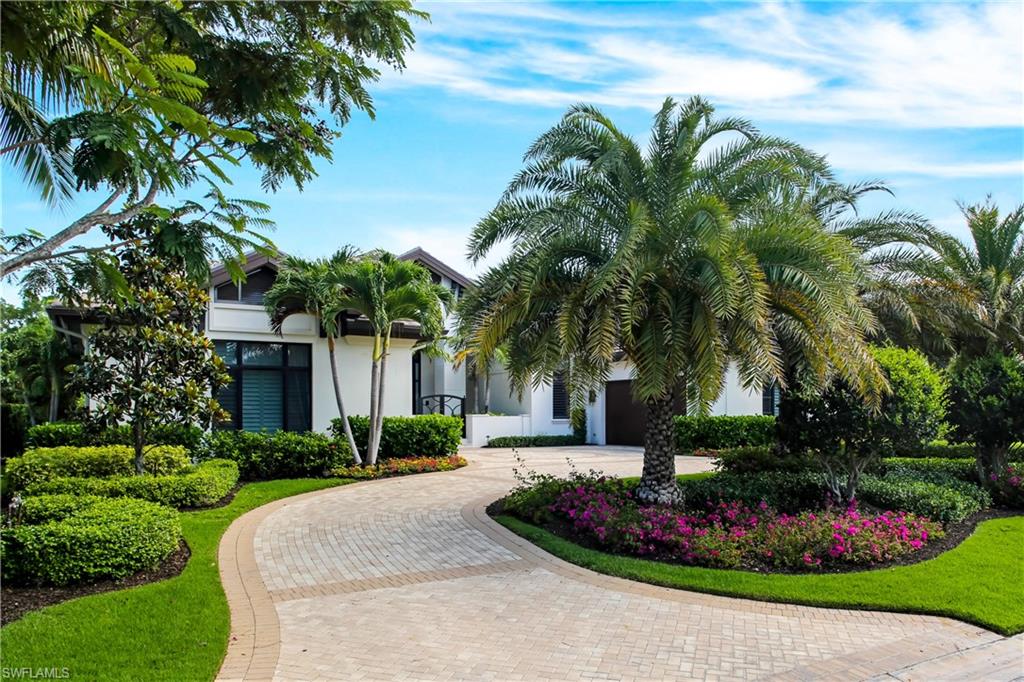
{"points": [[680, 260]]}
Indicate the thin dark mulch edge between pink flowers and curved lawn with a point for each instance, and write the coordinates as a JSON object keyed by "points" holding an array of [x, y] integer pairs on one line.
{"points": [[955, 535]]}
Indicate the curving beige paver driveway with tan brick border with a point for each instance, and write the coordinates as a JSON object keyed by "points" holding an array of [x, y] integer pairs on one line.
{"points": [[408, 579]]}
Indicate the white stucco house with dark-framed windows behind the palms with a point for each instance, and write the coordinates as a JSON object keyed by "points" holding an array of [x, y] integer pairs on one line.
{"points": [[284, 381]]}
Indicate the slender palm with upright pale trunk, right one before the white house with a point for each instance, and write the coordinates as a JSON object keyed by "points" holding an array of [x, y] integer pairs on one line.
{"points": [[387, 290]]}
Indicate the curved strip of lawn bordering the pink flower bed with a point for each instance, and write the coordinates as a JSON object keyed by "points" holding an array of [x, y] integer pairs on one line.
{"points": [[982, 581]]}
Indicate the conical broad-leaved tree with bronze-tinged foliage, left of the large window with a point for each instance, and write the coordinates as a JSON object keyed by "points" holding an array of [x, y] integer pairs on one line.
{"points": [[150, 364]]}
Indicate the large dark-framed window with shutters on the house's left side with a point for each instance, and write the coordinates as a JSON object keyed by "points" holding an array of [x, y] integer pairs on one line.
{"points": [[272, 387]]}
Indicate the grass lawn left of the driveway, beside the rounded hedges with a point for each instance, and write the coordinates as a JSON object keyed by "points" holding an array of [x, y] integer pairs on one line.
{"points": [[173, 630]]}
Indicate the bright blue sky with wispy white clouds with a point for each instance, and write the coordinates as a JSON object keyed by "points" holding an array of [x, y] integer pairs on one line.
{"points": [[928, 98]]}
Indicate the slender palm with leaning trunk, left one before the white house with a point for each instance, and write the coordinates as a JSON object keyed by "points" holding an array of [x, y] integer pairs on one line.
{"points": [[311, 287]]}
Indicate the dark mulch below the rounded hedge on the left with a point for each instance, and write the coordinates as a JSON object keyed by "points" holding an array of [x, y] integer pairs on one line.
{"points": [[17, 602]]}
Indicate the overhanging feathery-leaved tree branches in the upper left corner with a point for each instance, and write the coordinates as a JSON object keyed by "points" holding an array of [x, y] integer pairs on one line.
{"points": [[139, 101]]}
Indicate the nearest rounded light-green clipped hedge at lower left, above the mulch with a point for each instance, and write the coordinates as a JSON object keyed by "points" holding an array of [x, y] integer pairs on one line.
{"points": [[73, 539]]}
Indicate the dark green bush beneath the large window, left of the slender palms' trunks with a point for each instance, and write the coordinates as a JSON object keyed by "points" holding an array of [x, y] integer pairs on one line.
{"points": [[279, 455]]}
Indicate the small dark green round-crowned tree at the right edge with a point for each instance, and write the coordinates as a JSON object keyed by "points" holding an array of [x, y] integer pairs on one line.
{"points": [[988, 408]]}
